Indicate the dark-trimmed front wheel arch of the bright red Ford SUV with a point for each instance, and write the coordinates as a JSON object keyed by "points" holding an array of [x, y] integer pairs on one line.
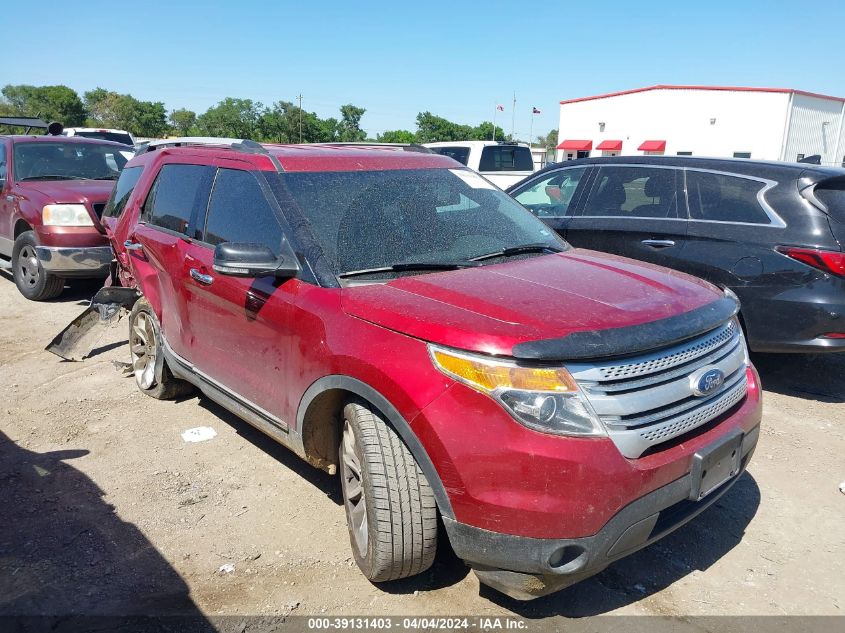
{"points": [[318, 422]]}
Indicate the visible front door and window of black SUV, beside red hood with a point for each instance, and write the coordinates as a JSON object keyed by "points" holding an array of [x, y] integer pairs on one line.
{"points": [[553, 195]]}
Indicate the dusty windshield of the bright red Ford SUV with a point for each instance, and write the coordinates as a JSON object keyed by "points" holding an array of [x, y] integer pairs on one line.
{"points": [[375, 219]]}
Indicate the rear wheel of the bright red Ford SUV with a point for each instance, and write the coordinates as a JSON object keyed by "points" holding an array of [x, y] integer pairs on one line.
{"points": [[145, 349]]}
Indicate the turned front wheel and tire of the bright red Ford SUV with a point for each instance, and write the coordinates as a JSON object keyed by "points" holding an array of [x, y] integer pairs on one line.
{"points": [[390, 508]]}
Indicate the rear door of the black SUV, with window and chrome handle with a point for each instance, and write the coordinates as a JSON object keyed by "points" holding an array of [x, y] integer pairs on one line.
{"points": [[636, 211]]}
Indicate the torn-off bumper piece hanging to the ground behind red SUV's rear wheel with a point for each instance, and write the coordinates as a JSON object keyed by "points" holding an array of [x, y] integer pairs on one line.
{"points": [[80, 338]]}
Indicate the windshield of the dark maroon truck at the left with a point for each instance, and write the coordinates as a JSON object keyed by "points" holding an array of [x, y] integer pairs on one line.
{"points": [[68, 161]]}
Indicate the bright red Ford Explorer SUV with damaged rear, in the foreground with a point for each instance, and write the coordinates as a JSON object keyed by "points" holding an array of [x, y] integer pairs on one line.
{"points": [[392, 317]]}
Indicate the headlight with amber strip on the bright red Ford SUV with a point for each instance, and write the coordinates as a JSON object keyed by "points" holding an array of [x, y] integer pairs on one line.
{"points": [[546, 399]]}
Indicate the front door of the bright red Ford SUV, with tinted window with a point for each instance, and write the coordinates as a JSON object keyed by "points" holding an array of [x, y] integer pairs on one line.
{"points": [[241, 328]]}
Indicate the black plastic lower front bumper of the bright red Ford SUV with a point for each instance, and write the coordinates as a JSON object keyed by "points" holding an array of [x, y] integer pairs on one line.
{"points": [[526, 568]]}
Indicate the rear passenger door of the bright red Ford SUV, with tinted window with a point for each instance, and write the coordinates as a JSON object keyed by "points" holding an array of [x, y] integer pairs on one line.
{"points": [[157, 245]]}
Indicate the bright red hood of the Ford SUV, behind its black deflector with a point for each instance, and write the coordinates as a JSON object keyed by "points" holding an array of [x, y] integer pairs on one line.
{"points": [[492, 309]]}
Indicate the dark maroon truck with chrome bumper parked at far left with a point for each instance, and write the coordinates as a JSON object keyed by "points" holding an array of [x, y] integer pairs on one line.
{"points": [[52, 190]]}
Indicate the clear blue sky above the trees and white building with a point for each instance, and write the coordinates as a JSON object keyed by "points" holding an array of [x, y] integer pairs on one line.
{"points": [[456, 59]]}
